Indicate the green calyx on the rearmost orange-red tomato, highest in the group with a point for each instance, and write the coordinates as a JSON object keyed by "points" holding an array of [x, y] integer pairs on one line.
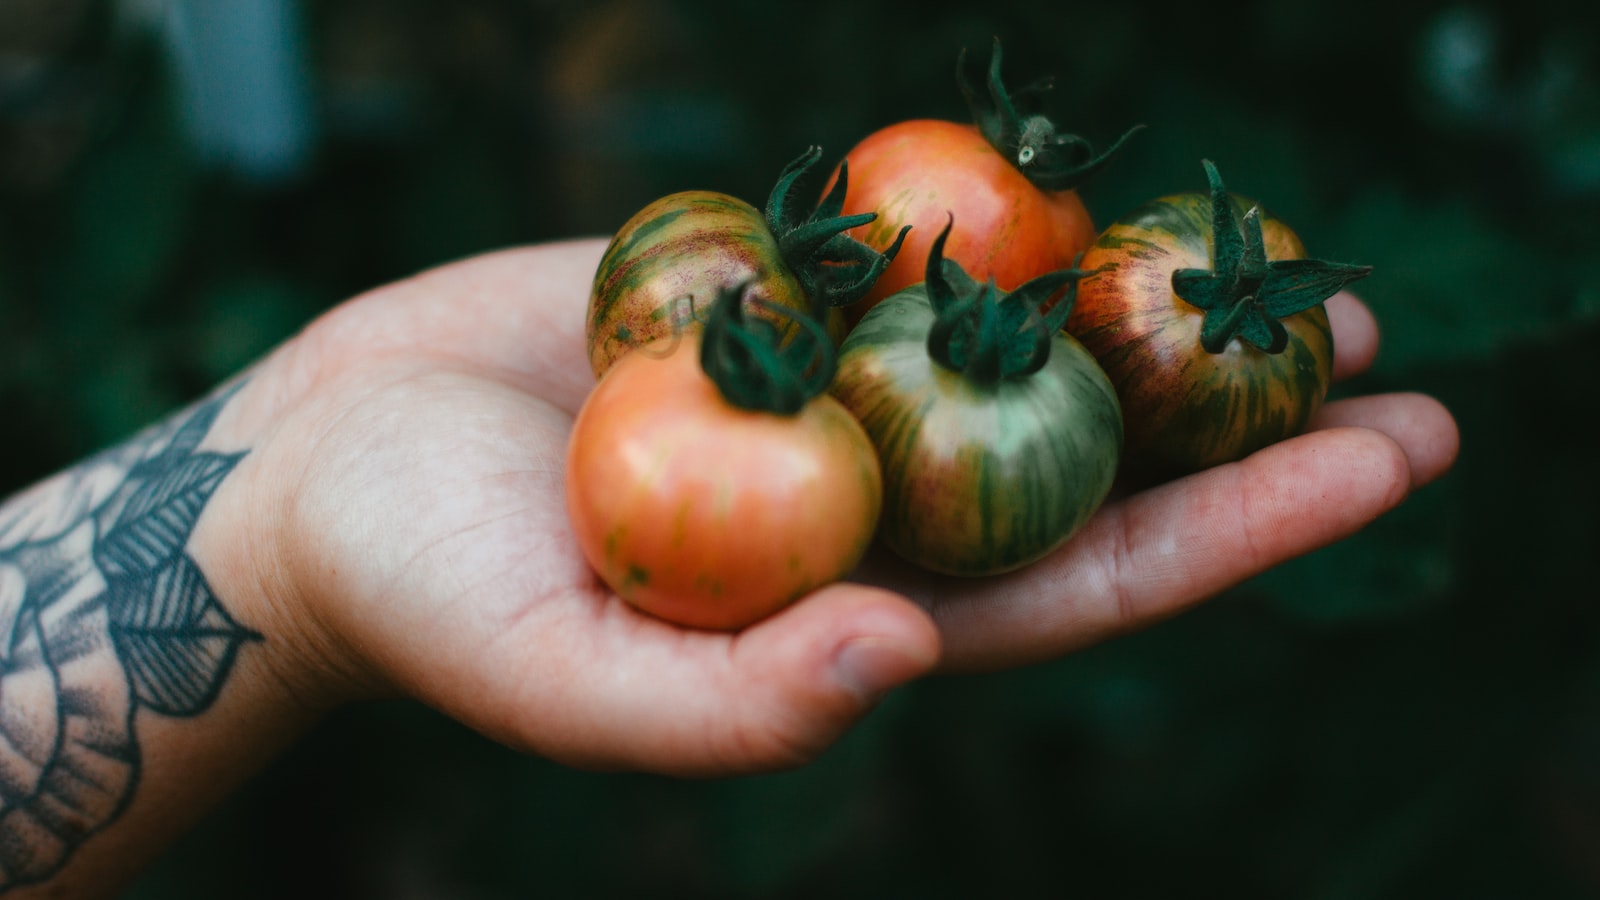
{"points": [[1050, 159]]}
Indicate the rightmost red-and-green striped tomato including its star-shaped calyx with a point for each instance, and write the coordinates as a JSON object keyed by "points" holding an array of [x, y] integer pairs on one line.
{"points": [[1209, 319]]}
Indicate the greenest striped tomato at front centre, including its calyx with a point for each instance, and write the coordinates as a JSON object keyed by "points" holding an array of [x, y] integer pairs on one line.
{"points": [[998, 433]]}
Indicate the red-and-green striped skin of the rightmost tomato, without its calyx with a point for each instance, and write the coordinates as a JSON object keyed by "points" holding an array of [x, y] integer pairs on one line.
{"points": [[1188, 409]]}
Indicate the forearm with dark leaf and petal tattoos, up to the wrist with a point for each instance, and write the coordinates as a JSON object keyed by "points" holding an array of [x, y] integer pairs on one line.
{"points": [[145, 672]]}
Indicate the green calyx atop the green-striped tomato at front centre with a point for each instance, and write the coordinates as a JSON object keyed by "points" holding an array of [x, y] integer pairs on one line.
{"points": [[988, 334]]}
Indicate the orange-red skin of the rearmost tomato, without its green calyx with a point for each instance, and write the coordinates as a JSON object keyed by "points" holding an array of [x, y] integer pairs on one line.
{"points": [[921, 172]]}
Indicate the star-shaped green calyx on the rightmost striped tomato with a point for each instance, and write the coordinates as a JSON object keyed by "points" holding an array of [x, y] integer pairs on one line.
{"points": [[1244, 295]]}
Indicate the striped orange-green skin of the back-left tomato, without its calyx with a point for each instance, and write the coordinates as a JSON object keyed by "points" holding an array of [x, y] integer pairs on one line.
{"points": [[671, 259]]}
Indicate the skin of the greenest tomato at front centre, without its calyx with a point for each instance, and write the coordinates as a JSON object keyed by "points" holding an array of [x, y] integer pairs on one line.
{"points": [[978, 480]]}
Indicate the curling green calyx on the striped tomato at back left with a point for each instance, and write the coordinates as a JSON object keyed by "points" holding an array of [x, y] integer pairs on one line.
{"points": [[833, 268]]}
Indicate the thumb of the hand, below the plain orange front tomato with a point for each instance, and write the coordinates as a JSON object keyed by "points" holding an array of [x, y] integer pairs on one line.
{"points": [[770, 697]]}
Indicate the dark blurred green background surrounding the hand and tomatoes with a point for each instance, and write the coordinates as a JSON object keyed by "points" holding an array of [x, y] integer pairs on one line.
{"points": [[1412, 713]]}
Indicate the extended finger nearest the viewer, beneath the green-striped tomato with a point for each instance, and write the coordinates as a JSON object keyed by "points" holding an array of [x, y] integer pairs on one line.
{"points": [[1159, 552]]}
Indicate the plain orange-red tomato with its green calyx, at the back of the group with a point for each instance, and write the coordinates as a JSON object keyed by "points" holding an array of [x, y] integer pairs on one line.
{"points": [[1009, 180]]}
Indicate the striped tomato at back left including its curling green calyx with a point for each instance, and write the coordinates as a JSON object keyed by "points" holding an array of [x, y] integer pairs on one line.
{"points": [[671, 259]]}
